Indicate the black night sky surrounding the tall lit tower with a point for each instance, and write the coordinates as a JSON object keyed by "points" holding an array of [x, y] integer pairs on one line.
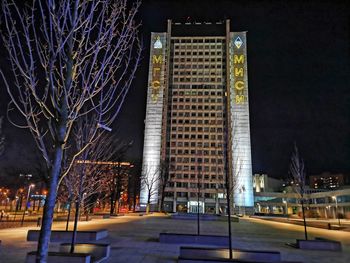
{"points": [[298, 74]]}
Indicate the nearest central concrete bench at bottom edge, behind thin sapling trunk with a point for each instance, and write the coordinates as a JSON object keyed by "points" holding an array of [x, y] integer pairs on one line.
{"points": [[223, 254]]}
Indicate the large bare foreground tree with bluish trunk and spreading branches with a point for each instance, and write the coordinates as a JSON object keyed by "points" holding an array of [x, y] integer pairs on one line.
{"points": [[68, 58]]}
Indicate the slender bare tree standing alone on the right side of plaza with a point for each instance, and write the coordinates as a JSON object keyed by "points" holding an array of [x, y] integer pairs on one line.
{"points": [[299, 179]]}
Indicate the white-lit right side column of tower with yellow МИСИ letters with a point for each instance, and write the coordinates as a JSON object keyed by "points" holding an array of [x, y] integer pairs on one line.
{"points": [[240, 128]]}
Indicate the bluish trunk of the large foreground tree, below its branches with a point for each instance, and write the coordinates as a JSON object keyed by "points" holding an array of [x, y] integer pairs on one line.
{"points": [[45, 231]]}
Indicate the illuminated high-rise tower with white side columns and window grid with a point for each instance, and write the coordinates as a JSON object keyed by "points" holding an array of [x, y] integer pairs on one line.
{"points": [[197, 119]]}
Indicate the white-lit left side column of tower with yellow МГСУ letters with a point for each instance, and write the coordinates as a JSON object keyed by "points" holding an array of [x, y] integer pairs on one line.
{"points": [[153, 120]]}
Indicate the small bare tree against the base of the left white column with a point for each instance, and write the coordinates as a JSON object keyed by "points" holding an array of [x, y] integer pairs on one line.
{"points": [[149, 181]]}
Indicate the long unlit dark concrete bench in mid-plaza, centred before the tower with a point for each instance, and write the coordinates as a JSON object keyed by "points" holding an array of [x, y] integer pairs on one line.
{"points": [[212, 240]]}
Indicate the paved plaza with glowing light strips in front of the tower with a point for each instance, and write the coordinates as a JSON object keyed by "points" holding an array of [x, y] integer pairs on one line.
{"points": [[135, 238]]}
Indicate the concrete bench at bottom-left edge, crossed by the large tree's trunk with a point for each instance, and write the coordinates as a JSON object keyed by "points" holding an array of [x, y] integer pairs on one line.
{"points": [[59, 257]]}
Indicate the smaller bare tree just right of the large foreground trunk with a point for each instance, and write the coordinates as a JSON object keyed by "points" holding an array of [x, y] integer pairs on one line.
{"points": [[86, 178]]}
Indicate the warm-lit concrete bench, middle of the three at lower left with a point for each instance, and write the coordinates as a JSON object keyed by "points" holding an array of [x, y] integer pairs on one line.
{"points": [[98, 252]]}
